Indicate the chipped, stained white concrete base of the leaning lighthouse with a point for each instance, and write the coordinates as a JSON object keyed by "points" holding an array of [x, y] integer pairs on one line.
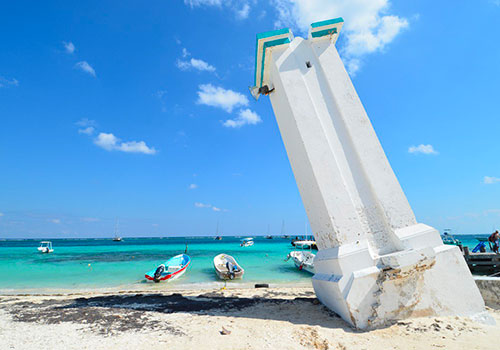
{"points": [[427, 278]]}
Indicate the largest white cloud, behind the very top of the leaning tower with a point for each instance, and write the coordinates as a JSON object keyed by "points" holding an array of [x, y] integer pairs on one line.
{"points": [[368, 26]]}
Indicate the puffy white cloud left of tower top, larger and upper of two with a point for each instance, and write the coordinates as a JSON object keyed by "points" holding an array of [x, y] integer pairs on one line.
{"points": [[219, 97]]}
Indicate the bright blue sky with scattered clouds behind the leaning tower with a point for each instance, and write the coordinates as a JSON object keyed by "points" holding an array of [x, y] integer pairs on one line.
{"points": [[141, 111]]}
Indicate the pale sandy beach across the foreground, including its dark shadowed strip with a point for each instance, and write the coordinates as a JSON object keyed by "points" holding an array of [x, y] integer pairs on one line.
{"points": [[268, 318]]}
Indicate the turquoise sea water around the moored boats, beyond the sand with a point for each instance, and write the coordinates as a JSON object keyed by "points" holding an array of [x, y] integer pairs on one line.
{"points": [[83, 264]]}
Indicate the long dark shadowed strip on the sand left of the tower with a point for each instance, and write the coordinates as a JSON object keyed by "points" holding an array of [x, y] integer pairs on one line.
{"points": [[119, 312]]}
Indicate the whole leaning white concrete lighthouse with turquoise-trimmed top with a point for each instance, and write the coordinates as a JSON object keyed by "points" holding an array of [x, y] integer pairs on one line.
{"points": [[376, 264]]}
